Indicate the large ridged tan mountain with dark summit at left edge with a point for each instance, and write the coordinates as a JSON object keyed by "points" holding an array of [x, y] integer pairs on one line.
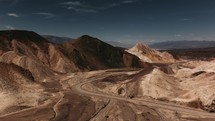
{"points": [[31, 51]]}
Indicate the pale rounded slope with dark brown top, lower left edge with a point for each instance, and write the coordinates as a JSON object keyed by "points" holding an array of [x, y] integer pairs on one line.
{"points": [[18, 89]]}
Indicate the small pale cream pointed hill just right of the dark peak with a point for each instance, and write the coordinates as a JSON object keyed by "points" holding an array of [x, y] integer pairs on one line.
{"points": [[147, 54]]}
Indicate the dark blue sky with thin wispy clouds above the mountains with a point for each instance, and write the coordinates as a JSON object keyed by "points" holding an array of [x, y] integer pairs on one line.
{"points": [[127, 21]]}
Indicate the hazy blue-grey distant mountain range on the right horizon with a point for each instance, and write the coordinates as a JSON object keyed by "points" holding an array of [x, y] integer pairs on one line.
{"points": [[183, 44]]}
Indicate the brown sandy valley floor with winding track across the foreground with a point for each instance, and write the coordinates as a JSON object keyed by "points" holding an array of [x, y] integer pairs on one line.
{"points": [[90, 104]]}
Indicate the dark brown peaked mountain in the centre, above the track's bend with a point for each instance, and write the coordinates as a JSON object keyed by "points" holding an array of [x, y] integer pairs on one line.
{"points": [[93, 53]]}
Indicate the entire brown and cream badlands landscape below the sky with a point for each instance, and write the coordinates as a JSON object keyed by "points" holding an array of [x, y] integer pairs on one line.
{"points": [[88, 80]]}
